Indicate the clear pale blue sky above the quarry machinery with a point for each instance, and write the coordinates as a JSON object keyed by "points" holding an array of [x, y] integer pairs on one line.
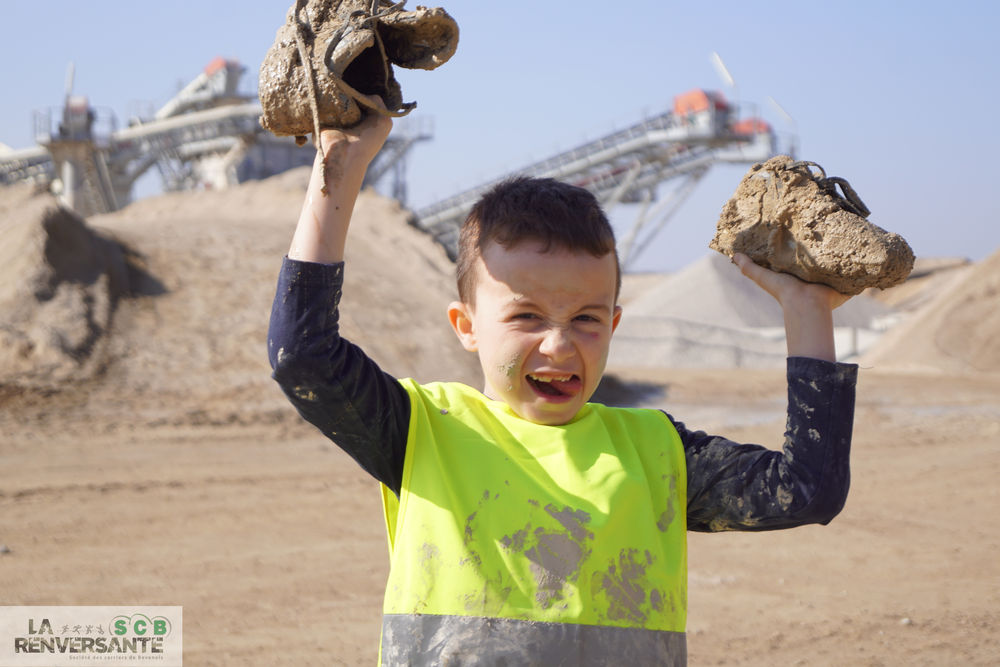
{"points": [[900, 99]]}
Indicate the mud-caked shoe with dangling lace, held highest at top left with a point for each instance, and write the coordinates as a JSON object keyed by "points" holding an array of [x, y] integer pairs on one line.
{"points": [[350, 53]]}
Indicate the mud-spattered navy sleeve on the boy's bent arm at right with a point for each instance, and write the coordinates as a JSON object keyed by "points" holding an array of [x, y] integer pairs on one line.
{"points": [[733, 486]]}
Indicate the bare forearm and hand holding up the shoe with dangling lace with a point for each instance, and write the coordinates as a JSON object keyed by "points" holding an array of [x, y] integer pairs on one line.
{"points": [[321, 232]]}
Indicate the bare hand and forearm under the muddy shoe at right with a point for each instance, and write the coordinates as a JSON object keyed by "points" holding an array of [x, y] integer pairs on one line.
{"points": [[807, 307]]}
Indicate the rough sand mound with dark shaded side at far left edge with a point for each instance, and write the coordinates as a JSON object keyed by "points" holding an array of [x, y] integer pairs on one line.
{"points": [[59, 283]]}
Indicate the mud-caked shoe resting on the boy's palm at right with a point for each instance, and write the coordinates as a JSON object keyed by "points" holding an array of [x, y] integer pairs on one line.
{"points": [[787, 218]]}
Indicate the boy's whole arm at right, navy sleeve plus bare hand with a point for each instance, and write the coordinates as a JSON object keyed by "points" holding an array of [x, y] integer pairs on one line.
{"points": [[734, 486]]}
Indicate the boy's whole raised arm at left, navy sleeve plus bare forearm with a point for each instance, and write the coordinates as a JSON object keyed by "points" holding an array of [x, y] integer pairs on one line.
{"points": [[332, 383]]}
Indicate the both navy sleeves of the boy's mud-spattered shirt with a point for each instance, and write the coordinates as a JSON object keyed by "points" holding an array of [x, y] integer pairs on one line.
{"points": [[730, 486]]}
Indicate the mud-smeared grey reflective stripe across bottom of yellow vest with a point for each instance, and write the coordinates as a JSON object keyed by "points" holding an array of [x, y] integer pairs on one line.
{"points": [[427, 639]]}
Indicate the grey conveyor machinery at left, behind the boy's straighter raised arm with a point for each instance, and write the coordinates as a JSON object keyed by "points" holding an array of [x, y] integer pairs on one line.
{"points": [[206, 136]]}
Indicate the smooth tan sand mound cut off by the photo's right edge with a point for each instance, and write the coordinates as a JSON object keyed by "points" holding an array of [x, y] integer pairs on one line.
{"points": [[956, 331]]}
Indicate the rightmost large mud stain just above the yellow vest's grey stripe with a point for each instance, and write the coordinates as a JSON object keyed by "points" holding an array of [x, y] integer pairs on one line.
{"points": [[624, 585]]}
